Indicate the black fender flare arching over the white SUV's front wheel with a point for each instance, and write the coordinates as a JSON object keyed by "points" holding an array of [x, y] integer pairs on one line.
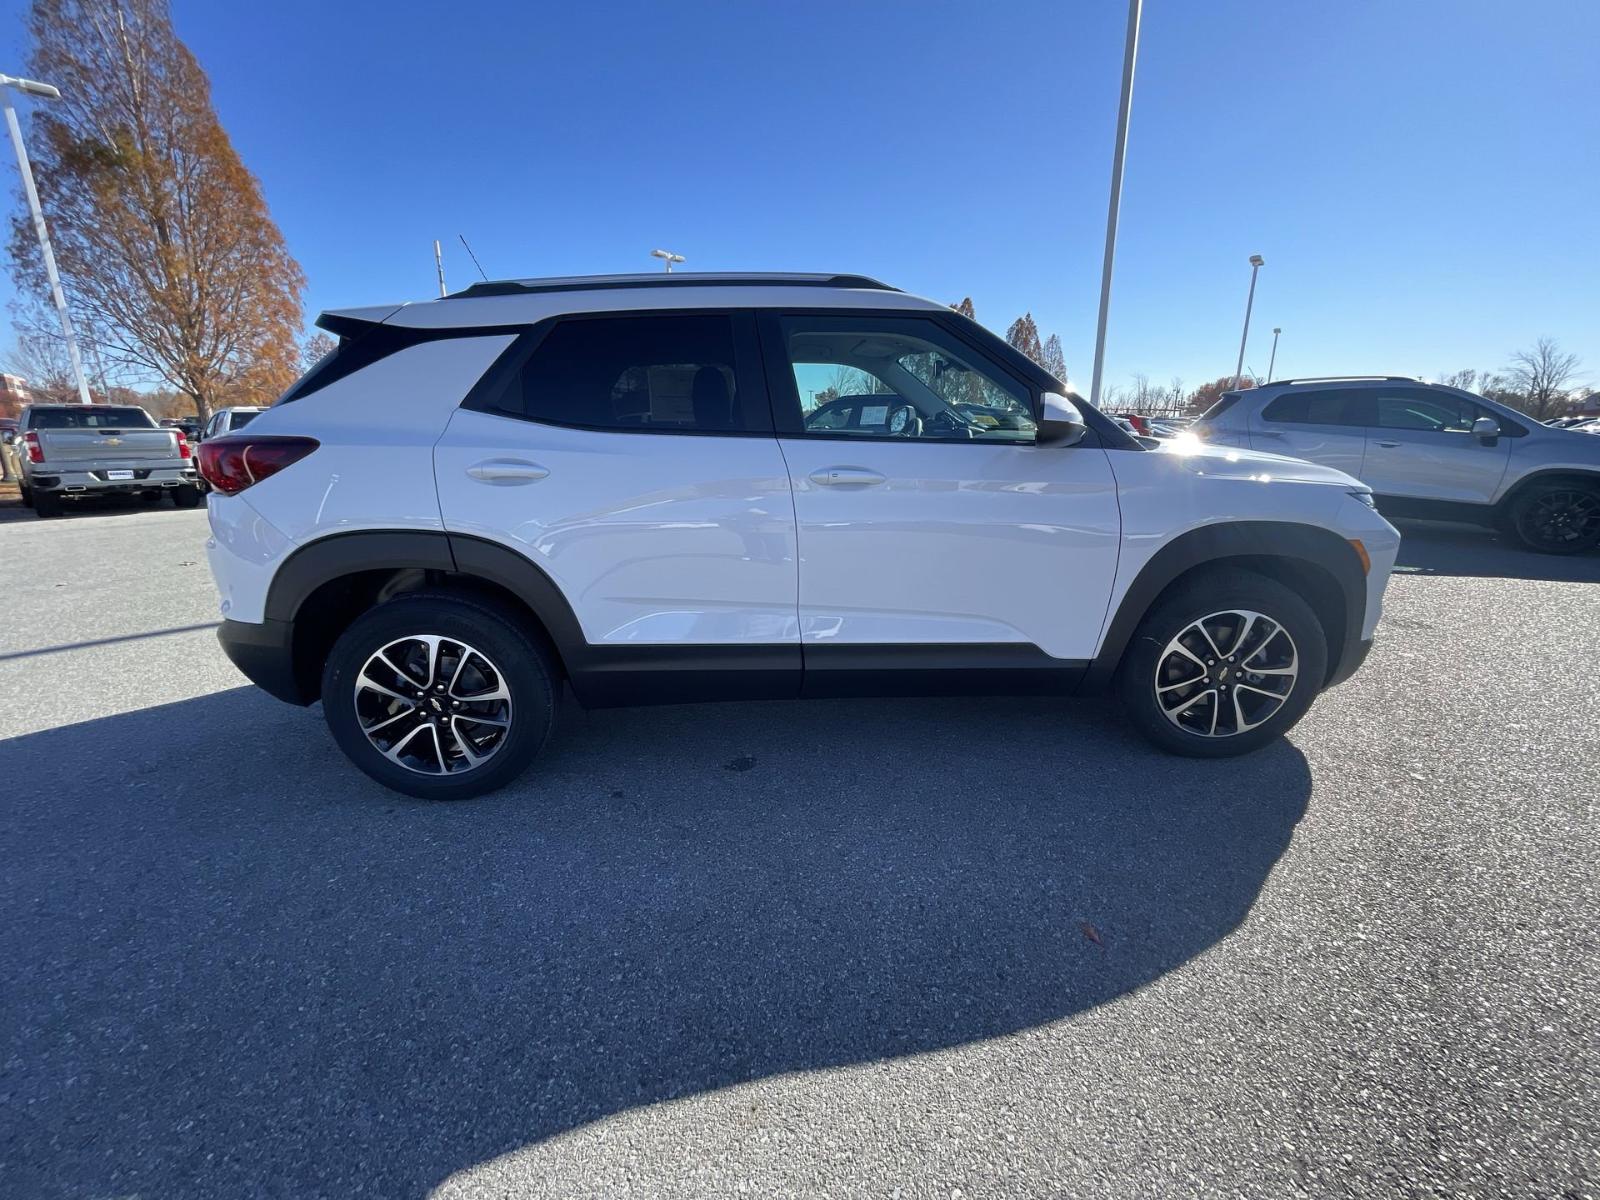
{"points": [[1210, 545]]}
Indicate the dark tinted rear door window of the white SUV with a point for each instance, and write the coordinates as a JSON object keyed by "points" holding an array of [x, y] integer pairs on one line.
{"points": [[660, 374]]}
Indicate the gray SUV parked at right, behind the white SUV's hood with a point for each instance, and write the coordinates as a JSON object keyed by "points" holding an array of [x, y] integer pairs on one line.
{"points": [[1428, 450]]}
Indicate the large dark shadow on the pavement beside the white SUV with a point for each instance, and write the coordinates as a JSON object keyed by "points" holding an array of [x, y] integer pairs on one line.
{"points": [[234, 967]]}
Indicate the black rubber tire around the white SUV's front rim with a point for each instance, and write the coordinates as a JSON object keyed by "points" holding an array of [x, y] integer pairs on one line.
{"points": [[1220, 593]]}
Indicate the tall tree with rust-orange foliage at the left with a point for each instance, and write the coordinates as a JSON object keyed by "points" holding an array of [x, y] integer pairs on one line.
{"points": [[166, 244]]}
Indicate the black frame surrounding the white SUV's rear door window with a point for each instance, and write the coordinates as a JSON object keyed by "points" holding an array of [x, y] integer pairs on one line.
{"points": [[500, 388]]}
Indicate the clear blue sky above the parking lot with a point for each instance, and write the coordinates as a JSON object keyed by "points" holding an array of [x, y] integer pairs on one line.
{"points": [[1420, 175]]}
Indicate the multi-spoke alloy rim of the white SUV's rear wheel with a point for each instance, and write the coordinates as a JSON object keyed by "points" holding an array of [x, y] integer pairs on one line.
{"points": [[433, 705]]}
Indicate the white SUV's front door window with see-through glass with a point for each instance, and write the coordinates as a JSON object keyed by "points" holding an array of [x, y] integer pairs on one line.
{"points": [[902, 378]]}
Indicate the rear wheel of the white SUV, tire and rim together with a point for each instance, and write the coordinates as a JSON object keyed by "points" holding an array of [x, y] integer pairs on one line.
{"points": [[439, 697]]}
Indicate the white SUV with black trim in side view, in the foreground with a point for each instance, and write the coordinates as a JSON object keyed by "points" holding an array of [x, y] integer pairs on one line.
{"points": [[732, 487]]}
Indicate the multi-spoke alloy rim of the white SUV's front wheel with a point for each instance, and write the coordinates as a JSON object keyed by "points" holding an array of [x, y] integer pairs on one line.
{"points": [[1226, 674]]}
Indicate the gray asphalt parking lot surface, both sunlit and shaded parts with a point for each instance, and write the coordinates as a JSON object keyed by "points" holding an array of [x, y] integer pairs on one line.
{"points": [[934, 948]]}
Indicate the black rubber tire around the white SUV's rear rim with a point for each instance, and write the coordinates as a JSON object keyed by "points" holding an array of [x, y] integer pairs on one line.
{"points": [[473, 622]]}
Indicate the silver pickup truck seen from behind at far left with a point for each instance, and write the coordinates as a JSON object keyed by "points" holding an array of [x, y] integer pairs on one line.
{"points": [[70, 452]]}
